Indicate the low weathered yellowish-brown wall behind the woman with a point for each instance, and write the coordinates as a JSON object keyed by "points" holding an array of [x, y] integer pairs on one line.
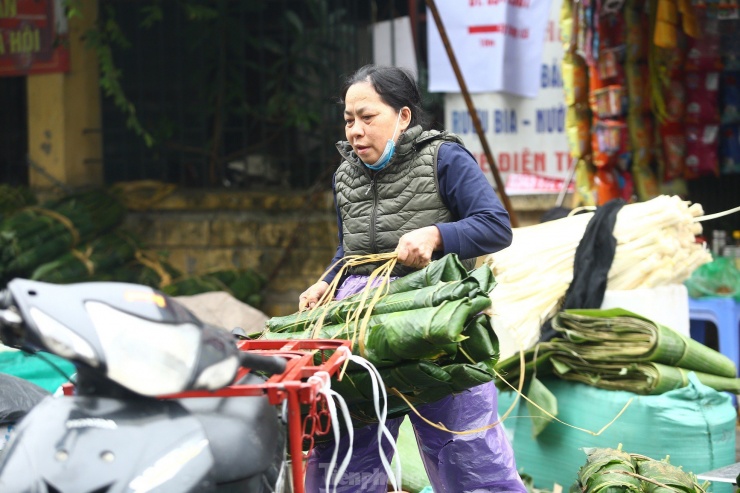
{"points": [[289, 237]]}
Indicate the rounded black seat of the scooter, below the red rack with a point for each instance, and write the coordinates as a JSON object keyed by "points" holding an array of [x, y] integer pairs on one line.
{"points": [[243, 432]]}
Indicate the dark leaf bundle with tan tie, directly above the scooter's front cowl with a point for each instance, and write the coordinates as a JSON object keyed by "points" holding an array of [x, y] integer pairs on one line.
{"points": [[90, 261]]}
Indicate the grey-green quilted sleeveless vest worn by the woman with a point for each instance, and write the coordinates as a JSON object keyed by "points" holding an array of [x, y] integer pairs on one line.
{"points": [[377, 208]]}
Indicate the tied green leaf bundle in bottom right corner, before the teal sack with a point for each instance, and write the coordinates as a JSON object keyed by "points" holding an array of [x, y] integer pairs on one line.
{"points": [[609, 469]]}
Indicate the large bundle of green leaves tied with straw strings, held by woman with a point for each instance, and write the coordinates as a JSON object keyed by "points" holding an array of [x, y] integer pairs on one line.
{"points": [[427, 336]]}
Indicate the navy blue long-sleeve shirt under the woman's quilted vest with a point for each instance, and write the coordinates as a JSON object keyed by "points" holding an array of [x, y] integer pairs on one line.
{"points": [[483, 224]]}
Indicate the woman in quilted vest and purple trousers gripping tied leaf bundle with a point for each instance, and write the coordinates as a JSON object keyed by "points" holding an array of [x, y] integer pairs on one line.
{"points": [[421, 194]]}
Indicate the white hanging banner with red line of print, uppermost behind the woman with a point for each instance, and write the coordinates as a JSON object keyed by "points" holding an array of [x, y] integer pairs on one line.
{"points": [[497, 44]]}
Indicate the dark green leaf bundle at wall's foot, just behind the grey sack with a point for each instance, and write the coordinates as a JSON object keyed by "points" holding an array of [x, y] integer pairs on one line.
{"points": [[243, 284]]}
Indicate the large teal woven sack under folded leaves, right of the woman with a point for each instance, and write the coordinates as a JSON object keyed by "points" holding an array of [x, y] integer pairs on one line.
{"points": [[695, 425]]}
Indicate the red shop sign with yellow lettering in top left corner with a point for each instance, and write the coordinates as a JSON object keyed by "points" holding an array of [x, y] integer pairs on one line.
{"points": [[31, 41]]}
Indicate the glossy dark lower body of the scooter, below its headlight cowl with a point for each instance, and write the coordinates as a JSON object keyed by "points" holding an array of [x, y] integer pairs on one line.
{"points": [[103, 445]]}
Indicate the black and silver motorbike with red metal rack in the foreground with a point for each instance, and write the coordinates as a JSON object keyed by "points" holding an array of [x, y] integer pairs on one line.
{"points": [[161, 402]]}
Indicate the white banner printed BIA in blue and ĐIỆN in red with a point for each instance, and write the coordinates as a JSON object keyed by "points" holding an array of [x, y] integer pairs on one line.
{"points": [[526, 136]]}
